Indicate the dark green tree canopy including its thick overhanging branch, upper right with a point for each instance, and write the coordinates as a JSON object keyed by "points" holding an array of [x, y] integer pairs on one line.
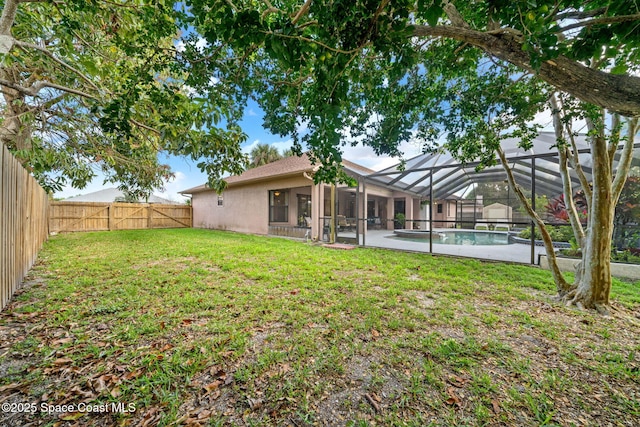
{"points": [[334, 60]]}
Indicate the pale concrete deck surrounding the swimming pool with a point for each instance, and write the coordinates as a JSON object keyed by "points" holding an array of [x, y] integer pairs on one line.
{"points": [[516, 252]]}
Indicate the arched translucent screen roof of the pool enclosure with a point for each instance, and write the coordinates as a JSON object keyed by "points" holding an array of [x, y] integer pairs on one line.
{"points": [[439, 176]]}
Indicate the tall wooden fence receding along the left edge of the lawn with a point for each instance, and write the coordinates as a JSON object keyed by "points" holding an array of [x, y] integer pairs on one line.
{"points": [[23, 223]]}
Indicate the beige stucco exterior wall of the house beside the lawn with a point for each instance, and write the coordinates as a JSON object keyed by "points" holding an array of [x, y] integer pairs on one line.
{"points": [[246, 208]]}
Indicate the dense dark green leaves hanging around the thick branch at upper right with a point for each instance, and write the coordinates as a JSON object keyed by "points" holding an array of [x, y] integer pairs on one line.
{"points": [[353, 71]]}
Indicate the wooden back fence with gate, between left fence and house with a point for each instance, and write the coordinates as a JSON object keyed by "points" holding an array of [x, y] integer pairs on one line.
{"points": [[86, 216]]}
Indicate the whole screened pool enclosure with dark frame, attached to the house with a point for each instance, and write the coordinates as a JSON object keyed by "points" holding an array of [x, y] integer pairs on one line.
{"points": [[436, 204]]}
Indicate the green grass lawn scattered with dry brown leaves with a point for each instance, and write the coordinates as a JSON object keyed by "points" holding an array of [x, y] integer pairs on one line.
{"points": [[197, 327]]}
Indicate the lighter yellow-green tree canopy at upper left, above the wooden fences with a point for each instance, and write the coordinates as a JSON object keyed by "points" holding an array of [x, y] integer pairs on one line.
{"points": [[103, 83]]}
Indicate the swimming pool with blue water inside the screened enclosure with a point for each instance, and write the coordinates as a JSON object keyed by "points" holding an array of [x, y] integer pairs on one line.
{"points": [[456, 237]]}
